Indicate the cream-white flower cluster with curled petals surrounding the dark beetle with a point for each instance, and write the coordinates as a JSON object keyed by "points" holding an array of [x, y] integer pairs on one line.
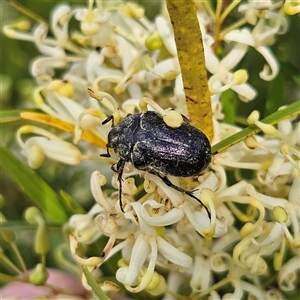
{"points": [[166, 239]]}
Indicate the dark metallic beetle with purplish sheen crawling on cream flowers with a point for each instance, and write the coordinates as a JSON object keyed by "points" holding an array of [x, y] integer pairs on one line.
{"points": [[150, 145]]}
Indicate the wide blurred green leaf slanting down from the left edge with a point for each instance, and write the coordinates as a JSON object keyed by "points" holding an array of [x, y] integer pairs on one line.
{"points": [[43, 196]]}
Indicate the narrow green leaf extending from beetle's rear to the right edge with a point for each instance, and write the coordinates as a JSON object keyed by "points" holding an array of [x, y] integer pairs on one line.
{"points": [[288, 112]]}
